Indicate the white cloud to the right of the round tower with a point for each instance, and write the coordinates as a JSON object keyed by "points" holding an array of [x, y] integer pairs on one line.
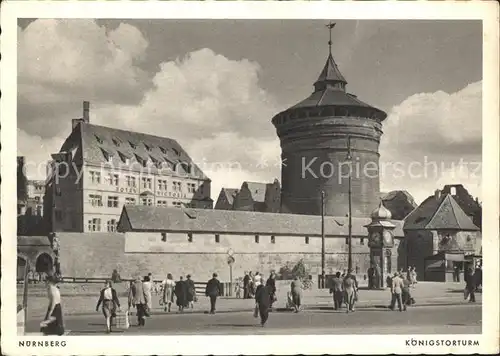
{"points": [[434, 139]]}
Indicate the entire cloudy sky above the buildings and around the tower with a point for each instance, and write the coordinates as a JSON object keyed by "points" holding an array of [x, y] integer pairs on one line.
{"points": [[214, 86]]}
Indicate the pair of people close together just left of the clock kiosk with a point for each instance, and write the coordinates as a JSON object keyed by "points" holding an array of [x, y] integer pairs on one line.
{"points": [[344, 288]]}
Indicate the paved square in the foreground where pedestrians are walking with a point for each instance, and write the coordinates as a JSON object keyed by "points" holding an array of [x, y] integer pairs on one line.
{"points": [[440, 308]]}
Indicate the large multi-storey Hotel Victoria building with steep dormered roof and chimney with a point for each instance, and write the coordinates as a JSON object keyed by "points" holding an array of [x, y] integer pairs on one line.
{"points": [[99, 169]]}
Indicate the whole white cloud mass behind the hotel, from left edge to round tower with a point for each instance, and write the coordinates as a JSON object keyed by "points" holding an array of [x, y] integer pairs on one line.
{"points": [[212, 105]]}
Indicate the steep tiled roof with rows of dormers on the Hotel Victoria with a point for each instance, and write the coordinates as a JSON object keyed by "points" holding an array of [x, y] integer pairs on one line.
{"points": [[99, 141]]}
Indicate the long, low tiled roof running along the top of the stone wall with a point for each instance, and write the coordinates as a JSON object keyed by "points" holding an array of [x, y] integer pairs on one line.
{"points": [[150, 218]]}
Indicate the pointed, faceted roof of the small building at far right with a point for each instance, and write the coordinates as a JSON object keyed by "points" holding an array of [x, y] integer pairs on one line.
{"points": [[441, 213]]}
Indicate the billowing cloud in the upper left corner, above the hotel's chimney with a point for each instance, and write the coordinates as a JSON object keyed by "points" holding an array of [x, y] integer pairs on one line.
{"points": [[62, 62]]}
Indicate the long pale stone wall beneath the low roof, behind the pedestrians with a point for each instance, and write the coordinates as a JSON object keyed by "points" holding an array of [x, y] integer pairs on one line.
{"points": [[98, 254]]}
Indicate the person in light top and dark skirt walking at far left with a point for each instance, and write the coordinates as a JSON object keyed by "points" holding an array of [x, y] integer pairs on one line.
{"points": [[53, 321]]}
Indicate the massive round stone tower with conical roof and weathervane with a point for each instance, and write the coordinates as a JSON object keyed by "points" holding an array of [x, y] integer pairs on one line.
{"points": [[323, 138]]}
